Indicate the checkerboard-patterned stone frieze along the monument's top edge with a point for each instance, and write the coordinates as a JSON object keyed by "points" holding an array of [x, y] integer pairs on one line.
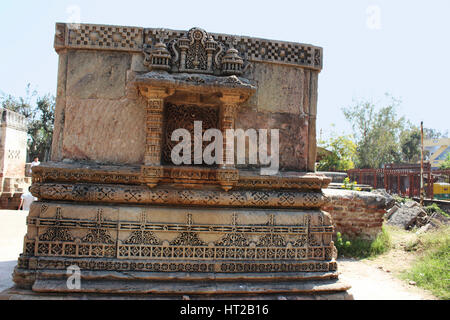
{"points": [[135, 39]]}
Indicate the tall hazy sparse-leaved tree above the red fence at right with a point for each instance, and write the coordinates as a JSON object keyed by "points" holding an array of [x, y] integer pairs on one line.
{"points": [[377, 133]]}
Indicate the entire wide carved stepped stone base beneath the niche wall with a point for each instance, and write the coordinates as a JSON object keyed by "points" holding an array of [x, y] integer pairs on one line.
{"points": [[130, 239]]}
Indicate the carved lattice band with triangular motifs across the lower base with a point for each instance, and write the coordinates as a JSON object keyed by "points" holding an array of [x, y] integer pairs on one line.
{"points": [[238, 242]]}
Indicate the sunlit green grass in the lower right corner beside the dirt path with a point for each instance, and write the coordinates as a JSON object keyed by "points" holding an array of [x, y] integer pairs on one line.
{"points": [[432, 270]]}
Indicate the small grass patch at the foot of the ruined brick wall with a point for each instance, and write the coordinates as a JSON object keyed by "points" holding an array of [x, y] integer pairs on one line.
{"points": [[362, 248]]}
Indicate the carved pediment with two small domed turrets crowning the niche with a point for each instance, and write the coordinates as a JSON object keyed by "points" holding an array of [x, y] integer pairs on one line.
{"points": [[194, 52]]}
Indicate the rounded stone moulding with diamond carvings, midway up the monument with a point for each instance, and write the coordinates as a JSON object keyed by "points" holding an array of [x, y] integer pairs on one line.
{"points": [[144, 195]]}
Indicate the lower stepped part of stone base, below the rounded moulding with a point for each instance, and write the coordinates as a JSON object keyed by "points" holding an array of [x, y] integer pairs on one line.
{"points": [[174, 246]]}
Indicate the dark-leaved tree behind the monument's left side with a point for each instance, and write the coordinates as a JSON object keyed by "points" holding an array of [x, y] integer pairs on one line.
{"points": [[40, 114]]}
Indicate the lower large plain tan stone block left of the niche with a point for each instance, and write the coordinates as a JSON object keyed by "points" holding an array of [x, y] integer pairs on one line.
{"points": [[103, 130]]}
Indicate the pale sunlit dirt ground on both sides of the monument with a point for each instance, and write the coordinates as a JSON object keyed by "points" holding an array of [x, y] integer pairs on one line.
{"points": [[370, 279]]}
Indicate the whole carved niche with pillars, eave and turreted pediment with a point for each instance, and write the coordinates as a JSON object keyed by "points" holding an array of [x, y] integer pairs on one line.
{"points": [[193, 77]]}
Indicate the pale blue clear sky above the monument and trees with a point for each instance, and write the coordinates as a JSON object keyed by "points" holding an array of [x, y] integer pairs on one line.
{"points": [[370, 47]]}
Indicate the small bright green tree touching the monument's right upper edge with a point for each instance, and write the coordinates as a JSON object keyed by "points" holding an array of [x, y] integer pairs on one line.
{"points": [[341, 154]]}
